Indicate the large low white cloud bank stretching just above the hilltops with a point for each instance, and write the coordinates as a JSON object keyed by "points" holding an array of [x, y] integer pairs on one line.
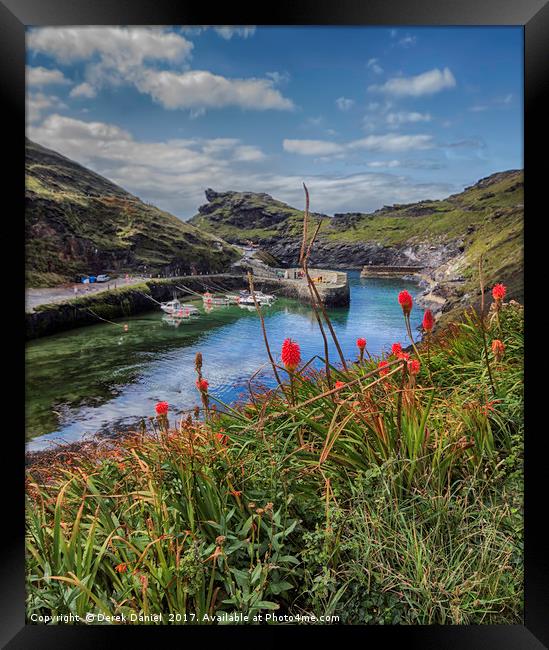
{"points": [[173, 174]]}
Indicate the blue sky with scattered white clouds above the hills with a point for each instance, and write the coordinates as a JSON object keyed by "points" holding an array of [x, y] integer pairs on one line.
{"points": [[366, 116]]}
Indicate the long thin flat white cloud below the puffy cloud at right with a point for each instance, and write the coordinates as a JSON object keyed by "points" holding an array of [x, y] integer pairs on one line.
{"points": [[385, 142]]}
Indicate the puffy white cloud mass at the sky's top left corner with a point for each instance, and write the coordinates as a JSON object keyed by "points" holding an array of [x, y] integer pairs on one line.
{"points": [[122, 53]]}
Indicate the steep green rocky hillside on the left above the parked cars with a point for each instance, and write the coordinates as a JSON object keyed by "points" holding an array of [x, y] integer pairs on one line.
{"points": [[76, 221]]}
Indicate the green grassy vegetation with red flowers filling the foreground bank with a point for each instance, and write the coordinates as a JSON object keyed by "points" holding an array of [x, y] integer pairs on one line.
{"points": [[388, 497]]}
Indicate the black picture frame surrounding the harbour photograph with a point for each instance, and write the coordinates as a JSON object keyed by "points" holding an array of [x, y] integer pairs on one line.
{"points": [[533, 15]]}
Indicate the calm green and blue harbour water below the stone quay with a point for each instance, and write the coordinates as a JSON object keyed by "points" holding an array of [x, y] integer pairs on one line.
{"points": [[99, 379]]}
